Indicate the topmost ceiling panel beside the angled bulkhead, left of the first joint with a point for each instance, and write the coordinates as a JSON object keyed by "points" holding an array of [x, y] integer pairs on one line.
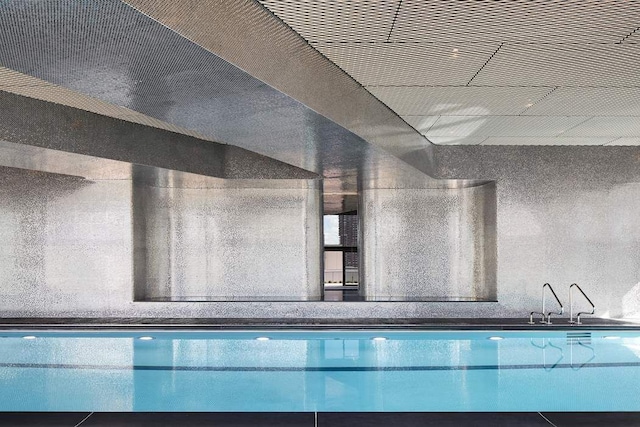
{"points": [[337, 20]]}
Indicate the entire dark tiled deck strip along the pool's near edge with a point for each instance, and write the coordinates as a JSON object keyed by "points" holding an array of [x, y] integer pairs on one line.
{"points": [[322, 419]]}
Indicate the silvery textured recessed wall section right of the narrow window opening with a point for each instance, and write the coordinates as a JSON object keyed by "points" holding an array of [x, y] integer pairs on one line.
{"points": [[429, 245]]}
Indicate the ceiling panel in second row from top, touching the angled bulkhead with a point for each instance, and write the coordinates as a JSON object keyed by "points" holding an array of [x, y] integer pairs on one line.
{"points": [[409, 64]]}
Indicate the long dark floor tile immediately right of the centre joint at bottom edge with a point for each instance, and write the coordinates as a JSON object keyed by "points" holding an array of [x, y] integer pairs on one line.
{"points": [[441, 419]]}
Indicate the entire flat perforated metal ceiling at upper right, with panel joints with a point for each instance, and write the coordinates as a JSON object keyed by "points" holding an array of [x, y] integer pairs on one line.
{"points": [[501, 72]]}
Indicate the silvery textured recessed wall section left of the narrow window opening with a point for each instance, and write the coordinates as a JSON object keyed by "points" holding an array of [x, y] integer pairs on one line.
{"points": [[225, 240]]}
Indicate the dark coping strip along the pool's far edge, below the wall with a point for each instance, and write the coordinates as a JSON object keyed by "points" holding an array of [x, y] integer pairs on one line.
{"points": [[515, 324]]}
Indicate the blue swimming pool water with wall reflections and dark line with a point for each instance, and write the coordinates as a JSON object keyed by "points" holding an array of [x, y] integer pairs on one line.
{"points": [[321, 371]]}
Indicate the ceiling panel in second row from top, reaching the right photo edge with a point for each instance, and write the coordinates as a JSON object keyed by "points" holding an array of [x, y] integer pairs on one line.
{"points": [[563, 65]]}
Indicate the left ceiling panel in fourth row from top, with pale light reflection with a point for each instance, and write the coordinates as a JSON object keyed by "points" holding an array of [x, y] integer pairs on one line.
{"points": [[478, 126]]}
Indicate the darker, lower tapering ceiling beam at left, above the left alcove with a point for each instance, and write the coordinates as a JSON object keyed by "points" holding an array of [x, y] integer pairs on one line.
{"points": [[31, 129]]}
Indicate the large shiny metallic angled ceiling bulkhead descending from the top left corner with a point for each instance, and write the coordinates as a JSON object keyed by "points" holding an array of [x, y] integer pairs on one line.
{"points": [[224, 70]]}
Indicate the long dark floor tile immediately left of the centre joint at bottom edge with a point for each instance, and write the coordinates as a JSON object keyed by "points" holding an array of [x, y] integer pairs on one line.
{"points": [[218, 419]]}
